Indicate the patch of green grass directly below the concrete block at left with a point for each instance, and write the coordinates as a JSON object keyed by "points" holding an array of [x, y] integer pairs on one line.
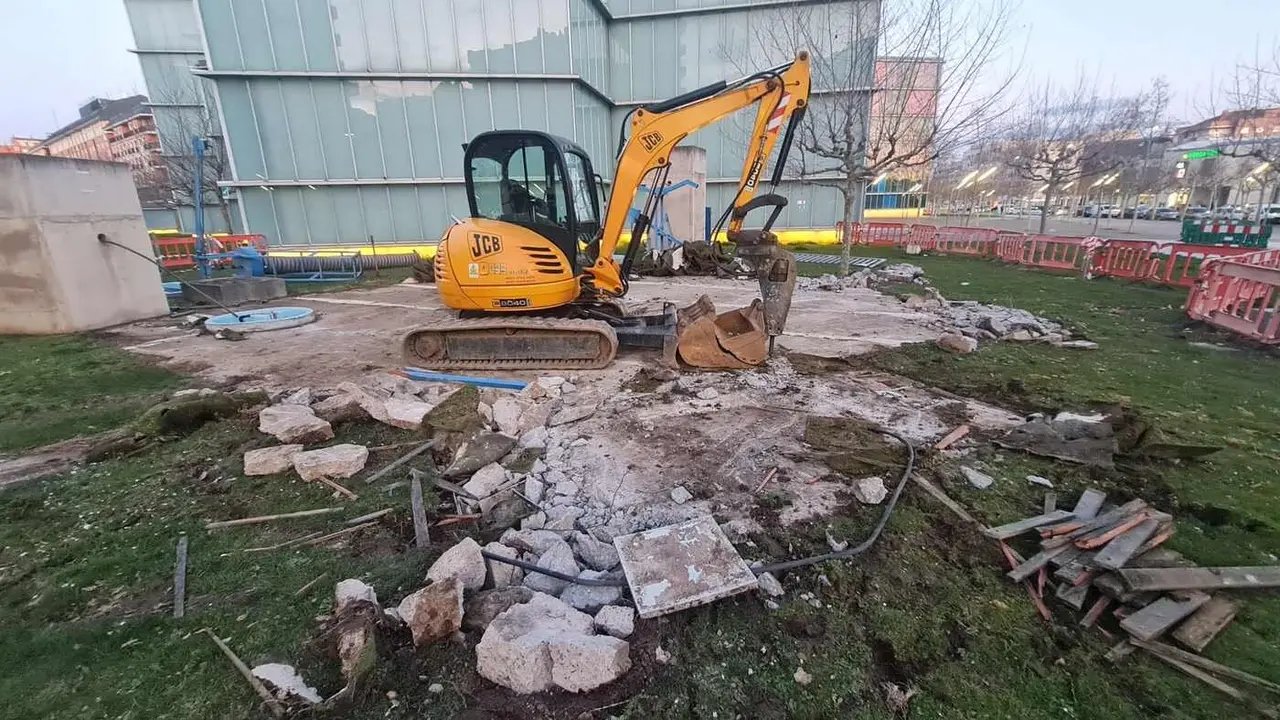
{"points": [[54, 389]]}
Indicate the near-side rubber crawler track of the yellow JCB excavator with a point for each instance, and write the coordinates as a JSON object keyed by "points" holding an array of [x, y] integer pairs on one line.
{"points": [[445, 327]]}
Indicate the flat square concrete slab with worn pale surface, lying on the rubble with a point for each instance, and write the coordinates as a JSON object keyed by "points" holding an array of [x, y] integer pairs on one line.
{"points": [[680, 567]]}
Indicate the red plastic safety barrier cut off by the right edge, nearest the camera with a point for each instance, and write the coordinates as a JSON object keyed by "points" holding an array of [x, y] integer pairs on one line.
{"points": [[1241, 295]]}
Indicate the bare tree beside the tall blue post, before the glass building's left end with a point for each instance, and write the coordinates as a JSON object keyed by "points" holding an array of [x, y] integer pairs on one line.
{"points": [[179, 124]]}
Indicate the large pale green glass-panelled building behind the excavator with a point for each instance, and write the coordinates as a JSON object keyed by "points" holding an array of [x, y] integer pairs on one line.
{"points": [[345, 120]]}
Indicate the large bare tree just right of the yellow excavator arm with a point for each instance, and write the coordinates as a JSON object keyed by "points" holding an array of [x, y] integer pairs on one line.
{"points": [[936, 84]]}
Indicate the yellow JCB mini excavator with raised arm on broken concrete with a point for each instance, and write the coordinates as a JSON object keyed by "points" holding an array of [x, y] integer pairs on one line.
{"points": [[533, 272]]}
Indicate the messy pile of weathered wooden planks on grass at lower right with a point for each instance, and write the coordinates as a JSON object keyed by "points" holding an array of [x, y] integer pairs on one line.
{"points": [[1112, 555]]}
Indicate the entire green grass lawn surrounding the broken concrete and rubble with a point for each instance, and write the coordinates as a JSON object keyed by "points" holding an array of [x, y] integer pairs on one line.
{"points": [[86, 560]]}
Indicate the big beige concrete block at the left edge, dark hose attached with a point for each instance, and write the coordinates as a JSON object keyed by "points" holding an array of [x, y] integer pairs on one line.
{"points": [[56, 277]]}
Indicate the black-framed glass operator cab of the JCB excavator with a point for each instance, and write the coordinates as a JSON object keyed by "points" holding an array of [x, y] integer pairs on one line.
{"points": [[537, 181]]}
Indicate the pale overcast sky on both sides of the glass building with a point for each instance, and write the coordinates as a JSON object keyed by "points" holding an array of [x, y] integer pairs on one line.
{"points": [[56, 54]]}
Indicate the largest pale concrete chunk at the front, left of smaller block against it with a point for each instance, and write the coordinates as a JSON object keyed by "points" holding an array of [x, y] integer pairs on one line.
{"points": [[514, 651]]}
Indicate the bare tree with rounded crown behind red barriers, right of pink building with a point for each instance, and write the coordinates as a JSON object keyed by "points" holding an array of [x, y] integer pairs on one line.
{"points": [[1066, 135]]}
